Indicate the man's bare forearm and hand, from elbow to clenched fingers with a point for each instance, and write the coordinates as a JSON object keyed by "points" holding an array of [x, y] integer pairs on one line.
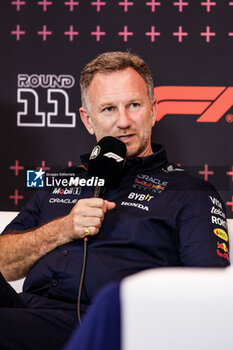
{"points": [[20, 251]]}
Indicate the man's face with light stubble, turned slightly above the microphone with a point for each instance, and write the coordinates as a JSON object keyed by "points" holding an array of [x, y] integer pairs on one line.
{"points": [[119, 106]]}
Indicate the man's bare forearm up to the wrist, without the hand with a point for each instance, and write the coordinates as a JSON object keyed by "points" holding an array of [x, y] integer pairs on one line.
{"points": [[20, 251]]}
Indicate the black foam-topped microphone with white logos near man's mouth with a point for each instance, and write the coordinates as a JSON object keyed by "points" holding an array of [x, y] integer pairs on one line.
{"points": [[107, 161]]}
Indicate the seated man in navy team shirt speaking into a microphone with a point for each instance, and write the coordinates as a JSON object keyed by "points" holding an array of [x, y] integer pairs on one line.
{"points": [[158, 215]]}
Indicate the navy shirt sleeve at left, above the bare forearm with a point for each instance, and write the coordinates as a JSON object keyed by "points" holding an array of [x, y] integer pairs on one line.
{"points": [[28, 218]]}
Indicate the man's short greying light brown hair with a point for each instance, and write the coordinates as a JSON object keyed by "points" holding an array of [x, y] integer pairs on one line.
{"points": [[109, 62]]}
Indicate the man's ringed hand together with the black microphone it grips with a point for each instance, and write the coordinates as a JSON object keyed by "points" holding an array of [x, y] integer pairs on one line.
{"points": [[107, 161]]}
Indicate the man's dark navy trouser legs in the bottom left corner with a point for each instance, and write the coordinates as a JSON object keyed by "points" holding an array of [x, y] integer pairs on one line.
{"points": [[29, 321]]}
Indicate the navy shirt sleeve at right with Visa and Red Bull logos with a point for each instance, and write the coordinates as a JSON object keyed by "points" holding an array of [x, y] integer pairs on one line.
{"points": [[201, 229]]}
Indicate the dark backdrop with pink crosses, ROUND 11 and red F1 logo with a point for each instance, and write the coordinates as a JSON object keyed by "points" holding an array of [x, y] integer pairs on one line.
{"points": [[44, 45]]}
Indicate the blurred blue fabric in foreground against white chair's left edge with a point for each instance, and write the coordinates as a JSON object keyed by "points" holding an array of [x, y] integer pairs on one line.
{"points": [[100, 328]]}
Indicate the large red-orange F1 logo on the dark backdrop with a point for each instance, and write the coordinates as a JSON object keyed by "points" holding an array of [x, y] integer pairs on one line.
{"points": [[209, 102]]}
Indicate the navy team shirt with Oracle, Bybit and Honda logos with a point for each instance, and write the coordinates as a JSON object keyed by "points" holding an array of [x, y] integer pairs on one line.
{"points": [[170, 226]]}
